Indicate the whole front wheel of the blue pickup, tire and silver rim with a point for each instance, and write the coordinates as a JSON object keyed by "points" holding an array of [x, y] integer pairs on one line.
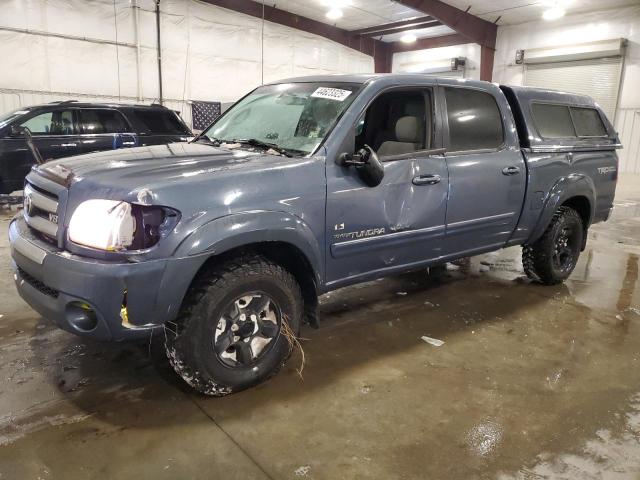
{"points": [[235, 326]]}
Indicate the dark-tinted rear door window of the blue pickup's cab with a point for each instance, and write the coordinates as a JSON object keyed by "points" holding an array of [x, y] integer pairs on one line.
{"points": [[474, 118]]}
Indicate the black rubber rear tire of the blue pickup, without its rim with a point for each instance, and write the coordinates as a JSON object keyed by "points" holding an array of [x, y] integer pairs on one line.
{"points": [[537, 258]]}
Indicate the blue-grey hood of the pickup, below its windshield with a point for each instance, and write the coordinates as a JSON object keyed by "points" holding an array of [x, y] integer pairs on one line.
{"points": [[158, 165]]}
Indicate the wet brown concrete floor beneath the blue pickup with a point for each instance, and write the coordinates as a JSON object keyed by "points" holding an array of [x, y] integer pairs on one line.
{"points": [[531, 382]]}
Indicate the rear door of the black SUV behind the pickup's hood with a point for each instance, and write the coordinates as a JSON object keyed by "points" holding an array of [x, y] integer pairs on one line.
{"points": [[104, 129]]}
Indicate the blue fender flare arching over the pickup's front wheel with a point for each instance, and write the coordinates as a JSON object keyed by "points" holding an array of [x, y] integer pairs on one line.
{"points": [[226, 233]]}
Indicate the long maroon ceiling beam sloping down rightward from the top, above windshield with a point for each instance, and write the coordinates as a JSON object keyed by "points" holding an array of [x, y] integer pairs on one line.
{"points": [[282, 17]]}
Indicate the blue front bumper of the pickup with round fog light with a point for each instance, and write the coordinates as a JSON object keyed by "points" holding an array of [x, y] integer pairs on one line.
{"points": [[60, 286]]}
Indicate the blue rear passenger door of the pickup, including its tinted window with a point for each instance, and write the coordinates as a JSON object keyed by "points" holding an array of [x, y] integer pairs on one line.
{"points": [[487, 173]]}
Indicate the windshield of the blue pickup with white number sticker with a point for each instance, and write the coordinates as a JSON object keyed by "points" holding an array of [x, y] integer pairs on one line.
{"points": [[293, 118]]}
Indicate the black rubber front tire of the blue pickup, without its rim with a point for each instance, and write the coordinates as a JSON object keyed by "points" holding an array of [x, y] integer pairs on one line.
{"points": [[189, 339]]}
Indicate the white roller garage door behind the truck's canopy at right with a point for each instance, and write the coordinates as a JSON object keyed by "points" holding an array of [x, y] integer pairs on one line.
{"points": [[598, 78]]}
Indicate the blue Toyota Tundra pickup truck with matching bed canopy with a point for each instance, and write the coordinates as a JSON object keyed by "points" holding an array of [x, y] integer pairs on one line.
{"points": [[305, 186]]}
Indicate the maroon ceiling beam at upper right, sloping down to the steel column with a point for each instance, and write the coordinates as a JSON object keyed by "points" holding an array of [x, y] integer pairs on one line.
{"points": [[475, 29]]}
